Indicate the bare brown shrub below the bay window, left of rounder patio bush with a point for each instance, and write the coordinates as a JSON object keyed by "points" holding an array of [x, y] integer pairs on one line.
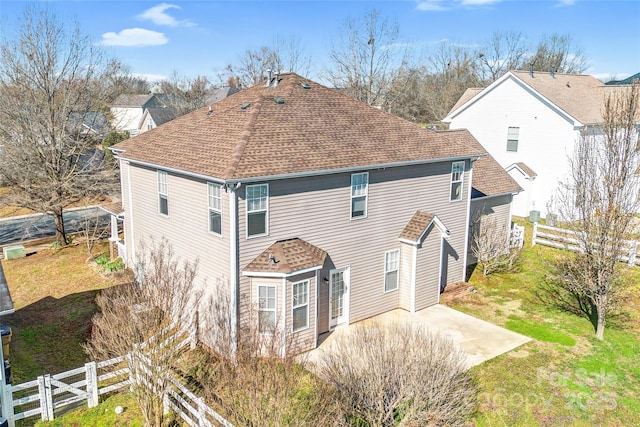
{"points": [[256, 382]]}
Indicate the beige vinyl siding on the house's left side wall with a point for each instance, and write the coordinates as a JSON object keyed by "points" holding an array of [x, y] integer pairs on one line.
{"points": [[186, 227]]}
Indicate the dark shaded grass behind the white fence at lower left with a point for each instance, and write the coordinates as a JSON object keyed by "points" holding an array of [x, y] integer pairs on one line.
{"points": [[48, 335]]}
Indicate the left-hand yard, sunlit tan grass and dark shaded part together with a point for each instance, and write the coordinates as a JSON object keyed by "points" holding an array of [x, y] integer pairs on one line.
{"points": [[54, 297]]}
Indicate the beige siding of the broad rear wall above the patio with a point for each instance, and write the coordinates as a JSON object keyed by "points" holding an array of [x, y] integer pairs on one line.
{"points": [[317, 209]]}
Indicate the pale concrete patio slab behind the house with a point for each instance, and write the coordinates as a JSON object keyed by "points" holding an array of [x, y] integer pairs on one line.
{"points": [[479, 340]]}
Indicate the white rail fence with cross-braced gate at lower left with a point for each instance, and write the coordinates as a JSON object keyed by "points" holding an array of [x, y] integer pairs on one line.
{"points": [[48, 395]]}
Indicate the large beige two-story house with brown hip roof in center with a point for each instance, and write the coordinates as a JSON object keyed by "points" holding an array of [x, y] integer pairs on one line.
{"points": [[308, 205]]}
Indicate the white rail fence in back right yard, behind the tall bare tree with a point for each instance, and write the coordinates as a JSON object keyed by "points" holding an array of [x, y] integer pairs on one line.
{"points": [[571, 240]]}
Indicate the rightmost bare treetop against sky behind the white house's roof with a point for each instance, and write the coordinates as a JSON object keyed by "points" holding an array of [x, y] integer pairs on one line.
{"points": [[558, 51]]}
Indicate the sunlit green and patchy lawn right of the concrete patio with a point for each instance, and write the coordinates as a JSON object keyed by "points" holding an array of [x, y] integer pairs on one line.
{"points": [[565, 376]]}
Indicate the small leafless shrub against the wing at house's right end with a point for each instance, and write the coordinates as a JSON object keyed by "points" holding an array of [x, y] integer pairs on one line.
{"points": [[490, 244]]}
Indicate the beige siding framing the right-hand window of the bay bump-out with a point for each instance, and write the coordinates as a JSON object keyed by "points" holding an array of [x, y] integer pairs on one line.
{"points": [[303, 339]]}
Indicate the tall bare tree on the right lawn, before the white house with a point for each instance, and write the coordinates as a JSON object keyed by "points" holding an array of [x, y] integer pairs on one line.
{"points": [[598, 201]]}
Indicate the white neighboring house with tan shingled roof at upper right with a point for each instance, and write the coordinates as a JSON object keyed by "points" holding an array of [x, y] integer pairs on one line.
{"points": [[530, 122]]}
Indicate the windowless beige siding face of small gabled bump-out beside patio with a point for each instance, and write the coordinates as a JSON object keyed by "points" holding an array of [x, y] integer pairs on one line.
{"points": [[428, 277]]}
